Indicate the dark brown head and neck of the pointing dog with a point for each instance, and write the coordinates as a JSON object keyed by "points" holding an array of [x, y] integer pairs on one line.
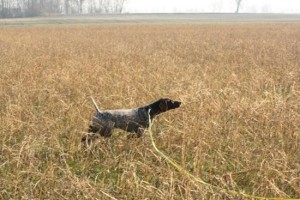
{"points": [[162, 105]]}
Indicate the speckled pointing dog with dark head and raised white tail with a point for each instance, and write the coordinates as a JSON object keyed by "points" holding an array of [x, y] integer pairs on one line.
{"points": [[134, 120]]}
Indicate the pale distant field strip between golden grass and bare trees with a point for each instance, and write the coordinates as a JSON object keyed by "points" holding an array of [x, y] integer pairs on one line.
{"points": [[153, 19]]}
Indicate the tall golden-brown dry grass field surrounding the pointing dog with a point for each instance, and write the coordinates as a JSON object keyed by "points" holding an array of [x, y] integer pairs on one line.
{"points": [[238, 127]]}
